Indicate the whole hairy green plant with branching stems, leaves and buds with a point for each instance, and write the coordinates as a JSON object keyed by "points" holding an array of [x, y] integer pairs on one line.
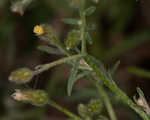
{"points": [[83, 65]]}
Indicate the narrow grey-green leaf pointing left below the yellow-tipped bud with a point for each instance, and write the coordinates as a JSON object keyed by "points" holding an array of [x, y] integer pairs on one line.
{"points": [[50, 50]]}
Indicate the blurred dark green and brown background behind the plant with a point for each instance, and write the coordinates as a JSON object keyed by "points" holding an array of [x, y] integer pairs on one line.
{"points": [[122, 33]]}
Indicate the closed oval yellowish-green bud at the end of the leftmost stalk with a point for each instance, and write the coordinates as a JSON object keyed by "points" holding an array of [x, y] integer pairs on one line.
{"points": [[21, 76]]}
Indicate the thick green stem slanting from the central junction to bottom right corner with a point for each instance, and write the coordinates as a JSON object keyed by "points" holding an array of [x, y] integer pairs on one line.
{"points": [[115, 89]]}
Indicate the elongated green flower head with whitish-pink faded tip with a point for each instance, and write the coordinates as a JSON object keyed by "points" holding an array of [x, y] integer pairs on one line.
{"points": [[34, 97]]}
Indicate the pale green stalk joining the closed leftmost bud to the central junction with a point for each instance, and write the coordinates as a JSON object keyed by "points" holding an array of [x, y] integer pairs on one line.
{"points": [[45, 67]]}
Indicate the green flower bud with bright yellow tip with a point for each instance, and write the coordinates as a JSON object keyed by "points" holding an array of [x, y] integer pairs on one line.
{"points": [[46, 32]]}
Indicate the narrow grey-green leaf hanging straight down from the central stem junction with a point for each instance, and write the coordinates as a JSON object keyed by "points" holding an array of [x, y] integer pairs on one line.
{"points": [[72, 78]]}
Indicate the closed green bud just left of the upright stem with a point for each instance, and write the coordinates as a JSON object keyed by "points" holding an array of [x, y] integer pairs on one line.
{"points": [[73, 39]]}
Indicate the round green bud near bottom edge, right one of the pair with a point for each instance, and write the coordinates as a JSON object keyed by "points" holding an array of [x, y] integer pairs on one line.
{"points": [[95, 106]]}
